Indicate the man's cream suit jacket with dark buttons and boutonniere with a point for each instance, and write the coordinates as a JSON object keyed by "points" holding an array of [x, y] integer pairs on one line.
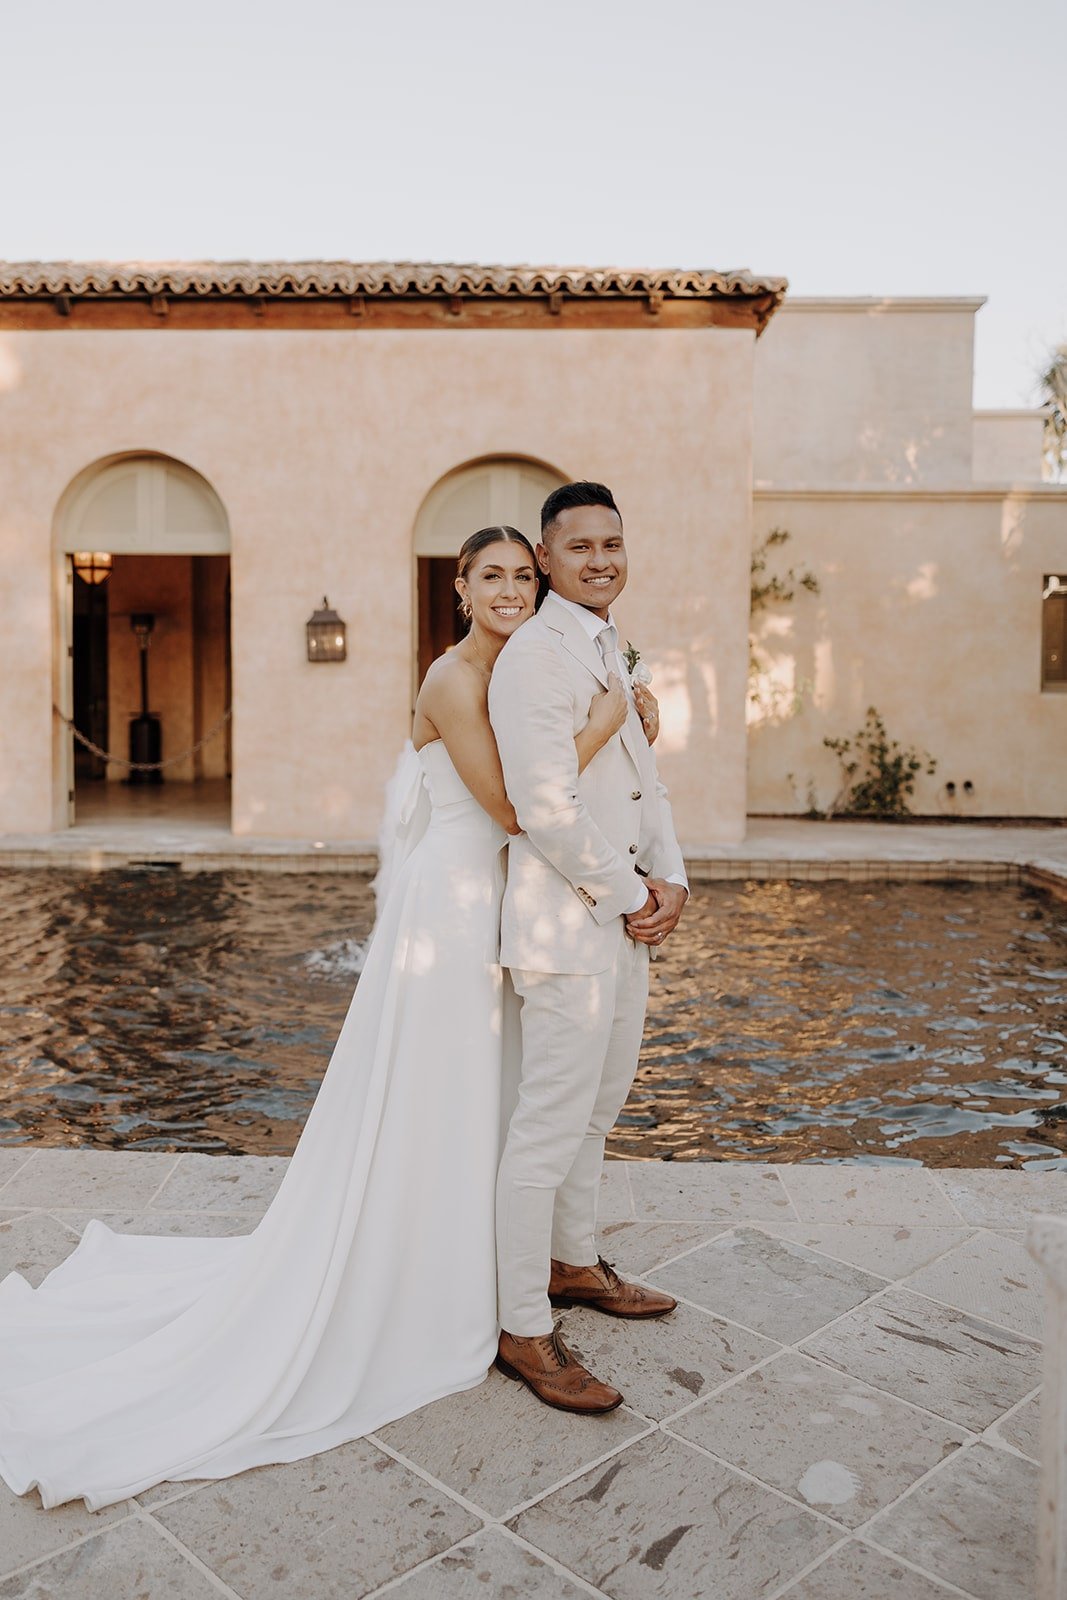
{"points": [[572, 871]]}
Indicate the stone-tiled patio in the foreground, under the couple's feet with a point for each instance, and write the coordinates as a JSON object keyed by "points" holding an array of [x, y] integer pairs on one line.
{"points": [[844, 1406]]}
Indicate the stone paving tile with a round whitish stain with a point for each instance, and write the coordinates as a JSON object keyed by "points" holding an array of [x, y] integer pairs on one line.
{"points": [[820, 1436]]}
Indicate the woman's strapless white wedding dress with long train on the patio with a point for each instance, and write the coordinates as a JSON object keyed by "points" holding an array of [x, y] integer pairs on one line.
{"points": [[367, 1290]]}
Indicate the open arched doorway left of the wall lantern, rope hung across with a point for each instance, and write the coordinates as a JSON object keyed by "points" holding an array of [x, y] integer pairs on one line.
{"points": [[142, 548]]}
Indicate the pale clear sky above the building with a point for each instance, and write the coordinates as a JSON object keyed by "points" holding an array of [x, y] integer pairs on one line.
{"points": [[857, 148]]}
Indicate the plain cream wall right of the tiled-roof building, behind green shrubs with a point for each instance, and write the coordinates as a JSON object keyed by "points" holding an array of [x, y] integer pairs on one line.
{"points": [[930, 532]]}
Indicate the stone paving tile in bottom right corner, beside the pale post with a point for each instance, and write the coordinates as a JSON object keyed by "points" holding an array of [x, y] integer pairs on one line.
{"points": [[972, 1524]]}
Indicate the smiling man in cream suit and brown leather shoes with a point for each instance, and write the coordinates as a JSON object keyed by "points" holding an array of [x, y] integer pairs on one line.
{"points": [[594, 881]]}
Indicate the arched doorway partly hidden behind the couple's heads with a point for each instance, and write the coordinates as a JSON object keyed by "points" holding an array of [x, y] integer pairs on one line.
{"points": [[498, 490]]}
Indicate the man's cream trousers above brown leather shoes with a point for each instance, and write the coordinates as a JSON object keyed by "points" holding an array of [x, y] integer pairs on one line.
{"points": [[580, 1044]]}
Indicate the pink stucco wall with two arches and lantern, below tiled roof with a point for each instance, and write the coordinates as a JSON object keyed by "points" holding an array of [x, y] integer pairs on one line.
{"points": [[322, 449]]}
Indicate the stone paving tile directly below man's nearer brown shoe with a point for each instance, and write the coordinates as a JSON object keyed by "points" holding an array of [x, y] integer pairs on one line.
{"points": [[498, 1446]]}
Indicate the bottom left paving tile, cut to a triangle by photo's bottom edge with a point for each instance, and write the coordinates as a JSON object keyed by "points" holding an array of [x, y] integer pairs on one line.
{"points": [[130, 1562]]}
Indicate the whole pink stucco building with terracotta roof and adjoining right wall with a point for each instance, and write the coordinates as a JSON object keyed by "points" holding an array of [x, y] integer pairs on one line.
{"points": [[242, 441]]}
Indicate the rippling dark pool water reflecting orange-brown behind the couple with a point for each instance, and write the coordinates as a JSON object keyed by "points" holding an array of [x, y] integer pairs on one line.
{"points": [[789, 1022]]}
